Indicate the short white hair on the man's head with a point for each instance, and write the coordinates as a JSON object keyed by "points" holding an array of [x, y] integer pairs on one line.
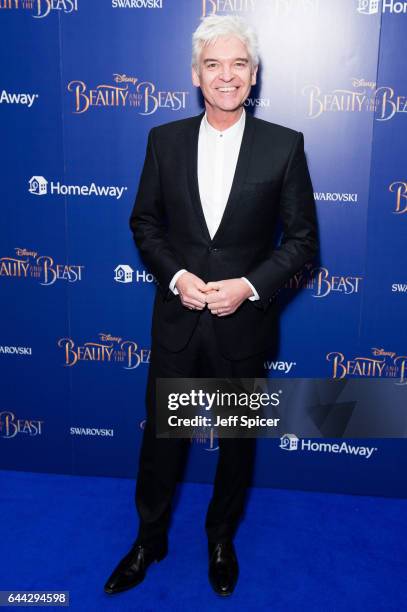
{"points": [[215, 26]]}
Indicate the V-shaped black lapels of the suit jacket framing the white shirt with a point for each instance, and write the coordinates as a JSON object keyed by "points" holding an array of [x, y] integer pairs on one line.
{"points": [[238, 178]]}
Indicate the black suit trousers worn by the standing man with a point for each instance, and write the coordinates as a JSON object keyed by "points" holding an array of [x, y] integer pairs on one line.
{"points": [[161, 459]]}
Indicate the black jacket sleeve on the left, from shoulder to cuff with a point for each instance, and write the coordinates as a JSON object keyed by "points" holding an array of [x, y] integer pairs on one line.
{"points": [[148, 223]]}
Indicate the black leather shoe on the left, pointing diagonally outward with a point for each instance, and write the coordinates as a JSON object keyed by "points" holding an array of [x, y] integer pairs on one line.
{"points": [[132, 568]]}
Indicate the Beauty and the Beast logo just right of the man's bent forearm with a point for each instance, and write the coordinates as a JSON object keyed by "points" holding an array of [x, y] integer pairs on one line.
{"points": [[322, 283]]}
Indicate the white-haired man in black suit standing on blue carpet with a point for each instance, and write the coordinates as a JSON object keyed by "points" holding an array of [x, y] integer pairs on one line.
{"points": [[212, 190]]}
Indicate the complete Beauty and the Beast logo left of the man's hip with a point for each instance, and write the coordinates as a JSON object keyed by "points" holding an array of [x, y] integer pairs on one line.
{"points": [[109, 349]]}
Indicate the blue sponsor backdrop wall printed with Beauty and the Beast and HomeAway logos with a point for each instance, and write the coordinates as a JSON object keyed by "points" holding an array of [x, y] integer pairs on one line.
{"points": [[82, 83]]}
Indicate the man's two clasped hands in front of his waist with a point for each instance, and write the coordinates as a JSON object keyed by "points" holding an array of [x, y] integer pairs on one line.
{"points": [[222, 297]]}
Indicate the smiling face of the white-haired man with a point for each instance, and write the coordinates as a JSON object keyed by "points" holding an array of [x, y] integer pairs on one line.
{"points": [[225, 75]]}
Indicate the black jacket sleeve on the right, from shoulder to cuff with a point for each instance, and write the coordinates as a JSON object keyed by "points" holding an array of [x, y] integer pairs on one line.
{"points": [[299, 242]]}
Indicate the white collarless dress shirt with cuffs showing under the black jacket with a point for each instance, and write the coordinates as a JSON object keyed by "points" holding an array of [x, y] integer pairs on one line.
{"points": [[217, 158]]}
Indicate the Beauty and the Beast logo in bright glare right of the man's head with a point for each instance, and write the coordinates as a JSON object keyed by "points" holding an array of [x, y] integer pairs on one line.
{"points": [[385, 102]]}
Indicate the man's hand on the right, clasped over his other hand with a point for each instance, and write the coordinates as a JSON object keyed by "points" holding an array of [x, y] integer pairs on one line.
{"points": [[224, 297]]}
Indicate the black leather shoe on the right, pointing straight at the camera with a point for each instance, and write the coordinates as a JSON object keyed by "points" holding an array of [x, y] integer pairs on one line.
{"points": [[223, 567]]}
